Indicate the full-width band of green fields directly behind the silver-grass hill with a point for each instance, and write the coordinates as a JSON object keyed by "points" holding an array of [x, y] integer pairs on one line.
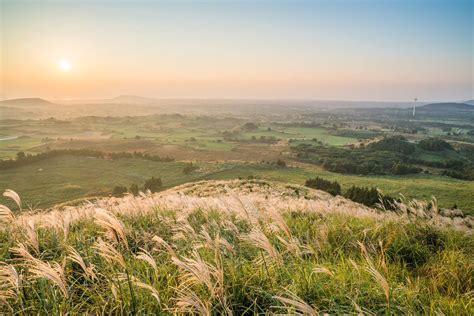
{"points": [[61, 179]]}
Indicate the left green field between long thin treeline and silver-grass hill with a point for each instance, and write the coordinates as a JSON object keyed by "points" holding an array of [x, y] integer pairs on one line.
{"points": [[61, 179]]}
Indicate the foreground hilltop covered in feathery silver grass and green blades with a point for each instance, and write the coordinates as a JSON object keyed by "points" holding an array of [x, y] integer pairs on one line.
{"points": [[233, 247]]}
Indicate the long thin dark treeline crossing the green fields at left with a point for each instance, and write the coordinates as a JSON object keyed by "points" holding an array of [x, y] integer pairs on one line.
{"points": [[23, 159]]}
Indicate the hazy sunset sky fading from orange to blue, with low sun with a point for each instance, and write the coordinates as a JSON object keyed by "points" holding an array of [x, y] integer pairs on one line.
{"points": [[342, 50]]}
